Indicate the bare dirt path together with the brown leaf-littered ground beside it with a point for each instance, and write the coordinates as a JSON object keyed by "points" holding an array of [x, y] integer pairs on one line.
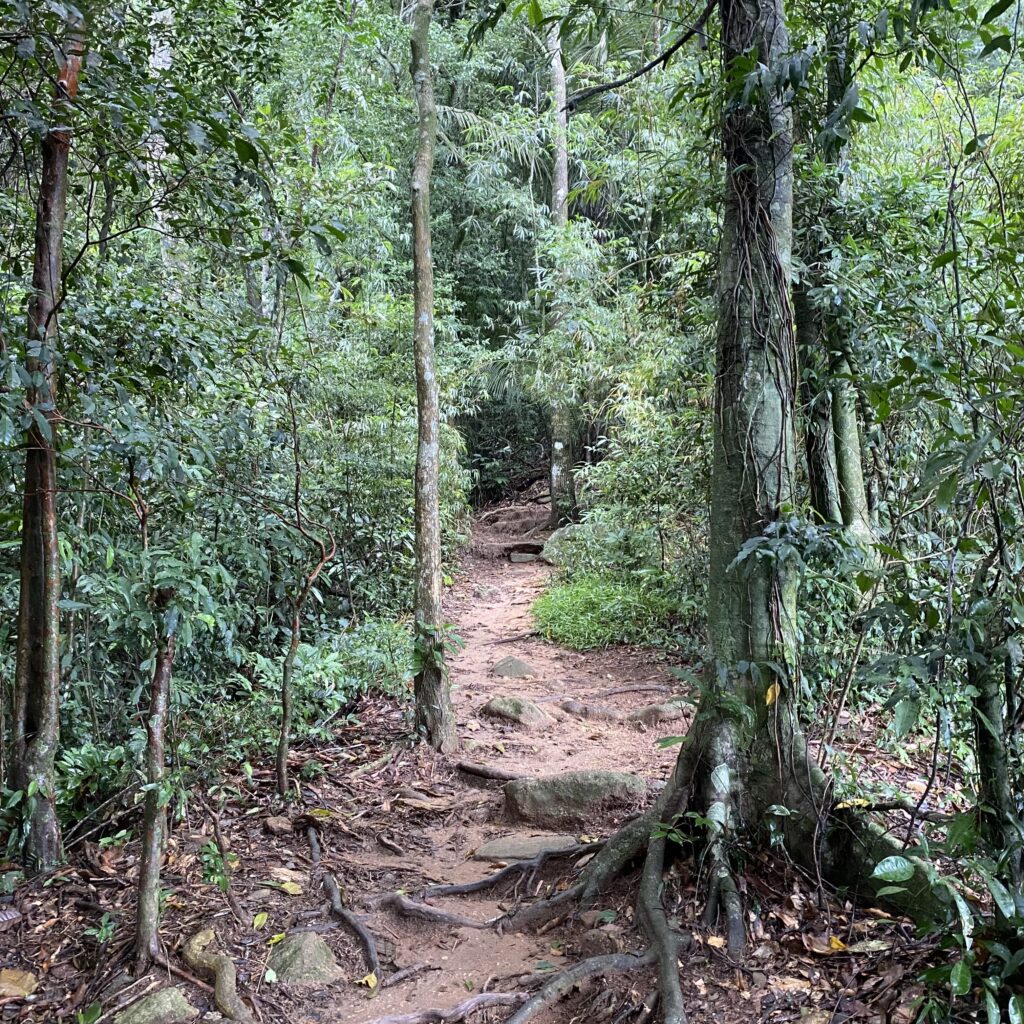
{"points": [[392, 819]]}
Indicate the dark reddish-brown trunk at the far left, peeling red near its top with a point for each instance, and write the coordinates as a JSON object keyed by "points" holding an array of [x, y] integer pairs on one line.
{"points": [[37, 675]]}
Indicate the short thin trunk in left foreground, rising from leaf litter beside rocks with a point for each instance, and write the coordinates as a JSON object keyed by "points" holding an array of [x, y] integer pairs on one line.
{"points": [[155, 816]]}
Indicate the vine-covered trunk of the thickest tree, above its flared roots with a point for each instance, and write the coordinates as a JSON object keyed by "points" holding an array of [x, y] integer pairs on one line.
{"points": [[753, 606]]}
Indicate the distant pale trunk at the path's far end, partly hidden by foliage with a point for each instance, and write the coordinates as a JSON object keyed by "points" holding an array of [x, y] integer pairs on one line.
{"points": [[562, 480]]}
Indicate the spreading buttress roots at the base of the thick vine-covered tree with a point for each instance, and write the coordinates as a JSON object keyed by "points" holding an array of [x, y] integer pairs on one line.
{"points": [[727, 780]]}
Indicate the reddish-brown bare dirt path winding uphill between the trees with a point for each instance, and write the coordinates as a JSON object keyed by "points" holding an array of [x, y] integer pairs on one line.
{"points": [[490, 608]]}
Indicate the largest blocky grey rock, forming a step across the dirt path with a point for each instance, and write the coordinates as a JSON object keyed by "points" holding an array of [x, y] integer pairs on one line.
{"points": [[571, 798]]}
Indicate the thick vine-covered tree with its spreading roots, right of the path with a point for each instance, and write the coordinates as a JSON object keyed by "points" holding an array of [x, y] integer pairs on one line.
{"points": [[744, 771]]}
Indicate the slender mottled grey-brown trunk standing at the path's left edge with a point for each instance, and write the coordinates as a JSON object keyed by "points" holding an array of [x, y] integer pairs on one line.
{"points": [[435, 715]]}
